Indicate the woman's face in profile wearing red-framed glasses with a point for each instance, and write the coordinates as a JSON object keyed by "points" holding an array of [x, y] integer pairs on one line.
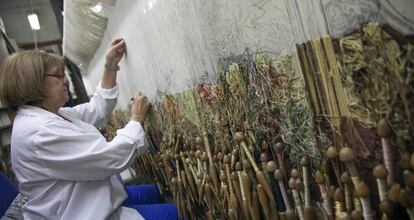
{"points": [[56, 88]]}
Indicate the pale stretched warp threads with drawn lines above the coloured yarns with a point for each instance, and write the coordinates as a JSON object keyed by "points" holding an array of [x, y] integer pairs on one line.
{"points": [[174, 45]]}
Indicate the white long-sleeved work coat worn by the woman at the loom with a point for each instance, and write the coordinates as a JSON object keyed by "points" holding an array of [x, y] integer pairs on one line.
{"points": [[66, 169]]}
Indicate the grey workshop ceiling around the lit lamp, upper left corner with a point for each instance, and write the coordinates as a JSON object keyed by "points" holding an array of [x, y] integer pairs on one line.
{"points": [[49, 37]]}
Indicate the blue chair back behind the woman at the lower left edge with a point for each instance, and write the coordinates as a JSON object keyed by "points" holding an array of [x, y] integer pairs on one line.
{"points": [[8, 192]]}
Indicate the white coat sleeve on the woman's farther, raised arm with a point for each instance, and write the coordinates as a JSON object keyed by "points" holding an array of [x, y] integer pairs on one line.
{"points": [[97, 110]]}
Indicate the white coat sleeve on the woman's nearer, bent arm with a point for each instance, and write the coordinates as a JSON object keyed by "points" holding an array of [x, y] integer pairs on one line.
{"points": [[68, 154]]}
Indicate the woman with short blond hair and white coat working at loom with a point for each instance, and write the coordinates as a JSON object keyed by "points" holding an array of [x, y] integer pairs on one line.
{"points": [[64, 166]]}
